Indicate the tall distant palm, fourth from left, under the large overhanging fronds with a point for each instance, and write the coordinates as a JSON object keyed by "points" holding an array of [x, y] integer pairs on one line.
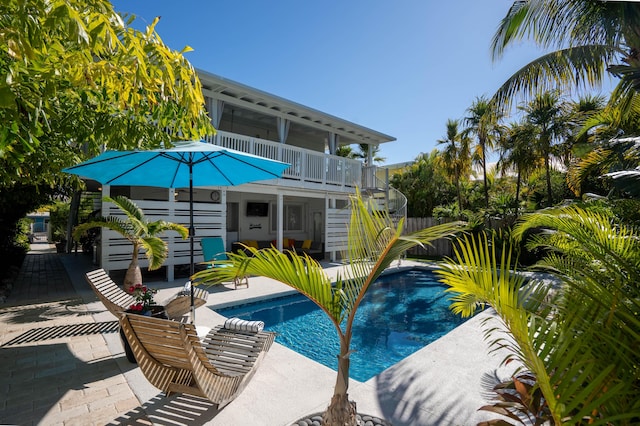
{"points": [[547, 113]]}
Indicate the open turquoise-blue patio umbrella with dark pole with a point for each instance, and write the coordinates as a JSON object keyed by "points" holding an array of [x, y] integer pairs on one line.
{"points": [[186, 164]]}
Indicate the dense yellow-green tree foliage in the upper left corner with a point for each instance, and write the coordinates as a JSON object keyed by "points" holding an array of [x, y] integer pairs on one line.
{"points": [[76, 78]]}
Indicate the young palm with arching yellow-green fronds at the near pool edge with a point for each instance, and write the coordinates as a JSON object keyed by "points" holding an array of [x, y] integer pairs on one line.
{"points": [[373, 243]]}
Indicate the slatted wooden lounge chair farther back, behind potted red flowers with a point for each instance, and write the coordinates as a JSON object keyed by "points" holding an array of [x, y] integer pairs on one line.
{"points": [[117, 300]]}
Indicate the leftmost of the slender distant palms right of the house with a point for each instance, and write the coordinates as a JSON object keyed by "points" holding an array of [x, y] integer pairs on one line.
{"points": [[456, 156]]}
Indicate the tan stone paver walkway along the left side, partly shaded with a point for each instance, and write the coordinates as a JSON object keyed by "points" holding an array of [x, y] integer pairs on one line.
{"points": [[55, 367]]}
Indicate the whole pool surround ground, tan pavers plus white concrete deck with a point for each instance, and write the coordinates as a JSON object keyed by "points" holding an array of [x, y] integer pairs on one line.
{"points": [[441, 384]]}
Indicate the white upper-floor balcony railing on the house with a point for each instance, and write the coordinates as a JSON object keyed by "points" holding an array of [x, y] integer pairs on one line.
{"points": [[306, 165]]}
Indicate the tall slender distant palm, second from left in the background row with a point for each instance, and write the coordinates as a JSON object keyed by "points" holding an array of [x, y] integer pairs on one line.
{"points": [[483, 122]]}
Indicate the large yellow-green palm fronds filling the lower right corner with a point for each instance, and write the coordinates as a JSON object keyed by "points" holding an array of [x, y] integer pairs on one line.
{"points": [[578, 338]]}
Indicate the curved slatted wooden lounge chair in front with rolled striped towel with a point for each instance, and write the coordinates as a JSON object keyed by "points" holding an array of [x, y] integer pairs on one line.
{"points": [[173, 359]]}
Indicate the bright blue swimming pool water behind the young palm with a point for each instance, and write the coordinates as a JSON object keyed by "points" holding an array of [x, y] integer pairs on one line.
{"points": [[400, 314]]}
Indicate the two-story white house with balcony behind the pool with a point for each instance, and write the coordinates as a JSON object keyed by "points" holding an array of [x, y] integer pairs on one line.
{"points": [[308, 202]]}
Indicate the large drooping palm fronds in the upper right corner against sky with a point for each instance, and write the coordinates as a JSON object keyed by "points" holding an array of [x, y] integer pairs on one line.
{"points": [[588, 35]]}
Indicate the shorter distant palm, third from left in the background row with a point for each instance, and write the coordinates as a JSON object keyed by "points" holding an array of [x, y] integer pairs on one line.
{"points": [[517, 152]]}
